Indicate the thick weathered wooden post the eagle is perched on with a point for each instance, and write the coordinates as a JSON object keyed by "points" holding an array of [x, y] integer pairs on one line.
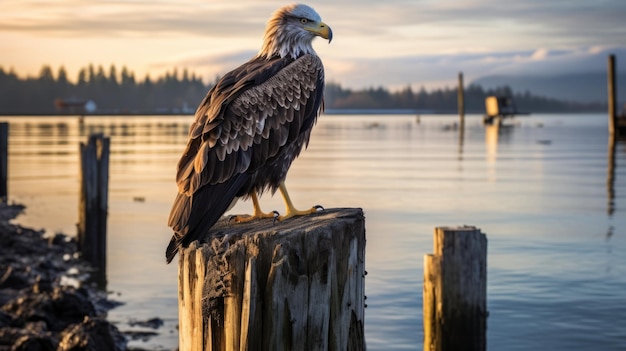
{"points": [[292, 285]]}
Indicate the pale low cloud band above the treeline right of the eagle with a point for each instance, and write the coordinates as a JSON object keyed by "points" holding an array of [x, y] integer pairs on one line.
{"points": [[434, 71]]}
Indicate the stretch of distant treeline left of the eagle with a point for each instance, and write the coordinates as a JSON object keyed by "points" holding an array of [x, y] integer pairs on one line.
{"points": [[113, 91]]}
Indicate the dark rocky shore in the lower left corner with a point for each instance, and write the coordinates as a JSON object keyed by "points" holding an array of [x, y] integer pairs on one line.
{"points": [[46, 299]]}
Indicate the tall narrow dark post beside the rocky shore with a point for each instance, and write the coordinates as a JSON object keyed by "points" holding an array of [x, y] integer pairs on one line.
{"points": [[94, 163]]}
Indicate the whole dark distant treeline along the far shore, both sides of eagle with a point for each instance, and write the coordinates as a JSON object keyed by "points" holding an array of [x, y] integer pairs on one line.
{"points": [[118, 91]]}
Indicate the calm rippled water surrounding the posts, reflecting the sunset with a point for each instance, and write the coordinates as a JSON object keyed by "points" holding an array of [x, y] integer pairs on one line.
{"points": [[541, 190]]}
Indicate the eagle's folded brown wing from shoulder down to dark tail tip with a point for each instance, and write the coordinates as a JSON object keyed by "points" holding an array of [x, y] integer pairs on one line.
{"points": [[243, 122]]}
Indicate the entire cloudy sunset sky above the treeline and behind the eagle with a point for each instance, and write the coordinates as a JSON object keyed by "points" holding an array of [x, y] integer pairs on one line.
{"points": [[391, 43]]}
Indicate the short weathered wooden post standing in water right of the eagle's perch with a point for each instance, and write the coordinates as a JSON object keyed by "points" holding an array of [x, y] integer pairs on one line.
{"points": [[455, 291]]}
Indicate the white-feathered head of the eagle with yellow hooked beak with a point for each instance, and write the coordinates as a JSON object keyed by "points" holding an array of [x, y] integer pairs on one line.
{"points": [[291, 29]]}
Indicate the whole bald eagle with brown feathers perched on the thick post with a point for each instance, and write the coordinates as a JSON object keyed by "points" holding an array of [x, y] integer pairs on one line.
{"points": [[250, 127]]}
